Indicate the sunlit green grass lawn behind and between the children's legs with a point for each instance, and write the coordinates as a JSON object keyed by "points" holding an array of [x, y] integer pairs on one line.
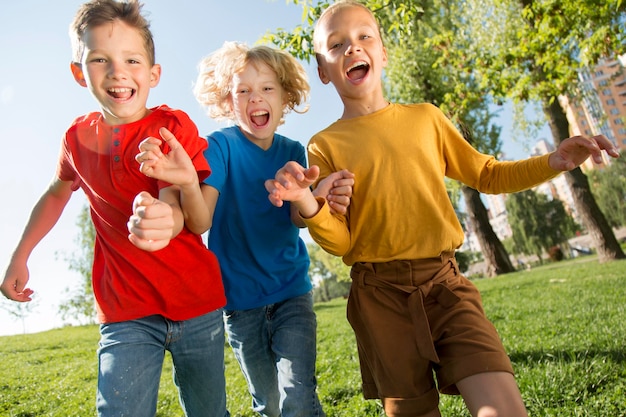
{"points": [[563, 325]]}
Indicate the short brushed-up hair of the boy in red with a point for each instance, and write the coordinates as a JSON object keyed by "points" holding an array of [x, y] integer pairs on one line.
{"points": [[98, 12]]}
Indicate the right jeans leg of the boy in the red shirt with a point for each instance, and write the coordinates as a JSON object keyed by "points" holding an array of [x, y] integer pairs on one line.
{"points": [[197, 348]]}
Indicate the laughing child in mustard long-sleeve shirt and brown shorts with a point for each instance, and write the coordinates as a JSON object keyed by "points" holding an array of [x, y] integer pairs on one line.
{"points": [[413, 313]]}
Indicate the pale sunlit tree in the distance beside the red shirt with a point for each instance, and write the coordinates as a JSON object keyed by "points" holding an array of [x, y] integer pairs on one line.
{"points": [[80, 305]]}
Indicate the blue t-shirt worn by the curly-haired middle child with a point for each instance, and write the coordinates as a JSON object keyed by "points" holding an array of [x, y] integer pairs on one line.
{"points": [[262, 257]]}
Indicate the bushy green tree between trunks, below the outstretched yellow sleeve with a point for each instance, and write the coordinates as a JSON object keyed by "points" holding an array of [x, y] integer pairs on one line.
{"points": [[538, 223]]}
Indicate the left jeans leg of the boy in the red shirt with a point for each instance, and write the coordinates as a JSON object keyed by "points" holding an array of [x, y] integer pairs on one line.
{"points": [[130, 359]]}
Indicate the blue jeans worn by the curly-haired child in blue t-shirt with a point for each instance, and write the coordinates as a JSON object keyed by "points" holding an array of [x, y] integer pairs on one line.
{"points": [[275, 348]]}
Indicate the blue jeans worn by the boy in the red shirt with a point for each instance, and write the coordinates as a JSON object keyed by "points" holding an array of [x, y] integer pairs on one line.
{"points": [[131, 357]]}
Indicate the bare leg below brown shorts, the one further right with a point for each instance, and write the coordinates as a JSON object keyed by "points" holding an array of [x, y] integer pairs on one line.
{"points": [[492, 394]]}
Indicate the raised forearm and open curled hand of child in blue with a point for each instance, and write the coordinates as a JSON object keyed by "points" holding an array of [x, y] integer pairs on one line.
{"points": [[177, 168]]}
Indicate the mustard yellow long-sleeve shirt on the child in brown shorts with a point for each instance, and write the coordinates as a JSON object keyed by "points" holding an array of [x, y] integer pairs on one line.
{"points": [[400, 208]]}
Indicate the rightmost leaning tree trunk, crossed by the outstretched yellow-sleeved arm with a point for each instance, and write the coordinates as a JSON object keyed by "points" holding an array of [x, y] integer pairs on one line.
{"points": [[593, 219]]}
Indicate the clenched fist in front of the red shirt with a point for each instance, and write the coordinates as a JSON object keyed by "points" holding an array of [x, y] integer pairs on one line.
{"points": [[152, 223]]}
